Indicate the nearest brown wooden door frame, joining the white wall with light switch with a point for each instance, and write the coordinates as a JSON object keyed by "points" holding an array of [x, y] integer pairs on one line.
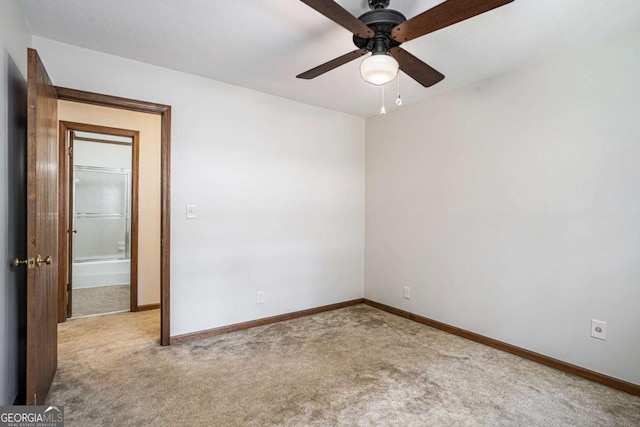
{"points": [[74, 95]]}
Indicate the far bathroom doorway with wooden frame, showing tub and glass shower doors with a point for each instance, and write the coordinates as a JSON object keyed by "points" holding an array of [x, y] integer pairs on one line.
{"points": [[102, 234]]}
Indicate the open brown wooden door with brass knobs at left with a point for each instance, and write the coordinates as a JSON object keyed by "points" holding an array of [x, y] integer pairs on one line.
{"points": [[42, 228]]}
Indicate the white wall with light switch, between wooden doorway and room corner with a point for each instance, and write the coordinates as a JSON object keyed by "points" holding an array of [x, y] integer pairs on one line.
{"points": [[278, 185]]}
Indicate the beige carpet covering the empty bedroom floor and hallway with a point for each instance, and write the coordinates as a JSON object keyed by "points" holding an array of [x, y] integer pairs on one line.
{"points": [[349, 367]]}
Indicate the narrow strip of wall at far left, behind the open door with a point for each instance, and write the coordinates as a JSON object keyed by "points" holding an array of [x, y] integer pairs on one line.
{"points": [[15, 39]]}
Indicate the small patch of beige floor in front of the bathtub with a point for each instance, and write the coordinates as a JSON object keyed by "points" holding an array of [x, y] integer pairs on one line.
{"points": [[101, 299]]}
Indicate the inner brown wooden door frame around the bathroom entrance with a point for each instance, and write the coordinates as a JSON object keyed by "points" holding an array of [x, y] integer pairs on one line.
{"points": [[65, 150]]}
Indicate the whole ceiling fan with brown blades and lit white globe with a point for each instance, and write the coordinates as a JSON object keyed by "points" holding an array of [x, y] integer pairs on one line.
{"points": [[381, 31]]}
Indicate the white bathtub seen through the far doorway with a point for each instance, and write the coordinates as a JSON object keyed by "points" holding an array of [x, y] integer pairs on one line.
{"points": [[101, 273]]}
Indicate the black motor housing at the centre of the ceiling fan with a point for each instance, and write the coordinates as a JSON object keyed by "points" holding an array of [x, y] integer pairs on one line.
{"points": [[381, 22]]}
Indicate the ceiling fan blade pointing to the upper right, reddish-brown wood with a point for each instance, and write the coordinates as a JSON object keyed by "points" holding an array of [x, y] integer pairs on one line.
{"points": [[441, 16]]}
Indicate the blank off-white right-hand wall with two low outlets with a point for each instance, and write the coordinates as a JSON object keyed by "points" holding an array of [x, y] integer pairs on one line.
{"points": [[512, 207]]}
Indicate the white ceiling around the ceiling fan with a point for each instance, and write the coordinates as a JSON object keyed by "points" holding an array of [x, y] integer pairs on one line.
{"points": [[264, 44]]}
